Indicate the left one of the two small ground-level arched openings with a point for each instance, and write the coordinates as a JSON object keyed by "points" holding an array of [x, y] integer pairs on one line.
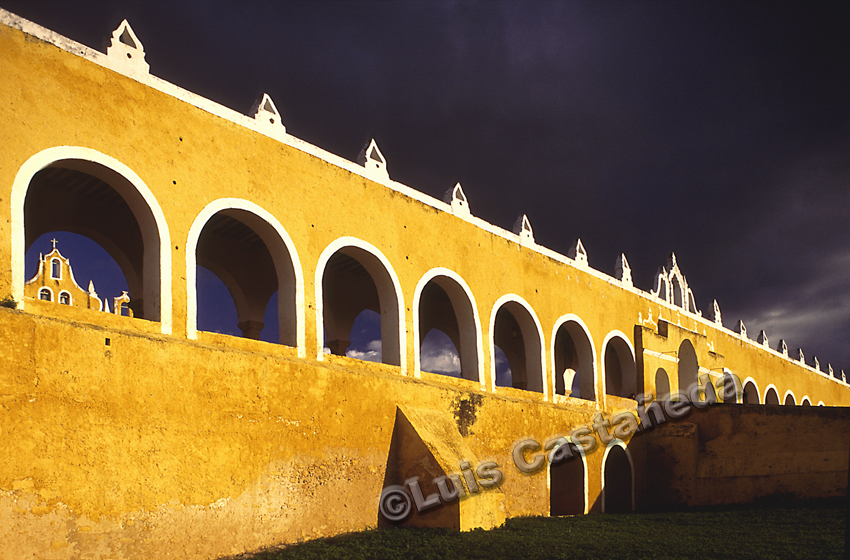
{"points": [[568, 488]]}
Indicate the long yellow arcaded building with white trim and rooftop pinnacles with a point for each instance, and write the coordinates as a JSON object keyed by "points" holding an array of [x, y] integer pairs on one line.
{"points": [[129, 435]]}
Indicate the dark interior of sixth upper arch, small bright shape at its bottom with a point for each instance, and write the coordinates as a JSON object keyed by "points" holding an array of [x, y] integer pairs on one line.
{"points": [[572, 351]]}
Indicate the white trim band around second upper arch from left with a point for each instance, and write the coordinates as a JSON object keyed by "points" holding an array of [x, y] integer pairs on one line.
{"points": [[191, 264]]}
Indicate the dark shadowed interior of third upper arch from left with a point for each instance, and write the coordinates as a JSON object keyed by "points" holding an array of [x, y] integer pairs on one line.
{"points": [[348, 289]]}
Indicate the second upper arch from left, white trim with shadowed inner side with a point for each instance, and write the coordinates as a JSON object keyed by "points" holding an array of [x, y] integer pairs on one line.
{"points": [[287, 266]]}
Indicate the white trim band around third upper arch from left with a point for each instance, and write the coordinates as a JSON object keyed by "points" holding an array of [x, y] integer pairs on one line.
{"points": [[329, 251]]}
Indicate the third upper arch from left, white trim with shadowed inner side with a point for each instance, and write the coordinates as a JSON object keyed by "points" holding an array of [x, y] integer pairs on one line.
{"points": [[390, 299]]}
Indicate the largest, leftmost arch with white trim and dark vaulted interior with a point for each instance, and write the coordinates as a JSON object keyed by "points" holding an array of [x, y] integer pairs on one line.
{"points": [[112, 206]]}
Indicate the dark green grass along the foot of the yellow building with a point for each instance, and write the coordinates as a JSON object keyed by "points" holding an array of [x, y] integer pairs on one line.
{"points": [[790, 532]]}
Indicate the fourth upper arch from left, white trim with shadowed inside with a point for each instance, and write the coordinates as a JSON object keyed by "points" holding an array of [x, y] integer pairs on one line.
{"points": [[466, 327]]}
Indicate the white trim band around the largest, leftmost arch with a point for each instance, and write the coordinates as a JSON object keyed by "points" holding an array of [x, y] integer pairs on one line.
{"points": [[18, 196]]}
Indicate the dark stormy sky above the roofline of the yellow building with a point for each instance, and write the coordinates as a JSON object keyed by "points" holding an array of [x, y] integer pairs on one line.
{"points": [[717, 130]]}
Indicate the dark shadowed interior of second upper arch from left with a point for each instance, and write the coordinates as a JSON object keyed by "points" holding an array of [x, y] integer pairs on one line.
{"points": [[238, 256]]}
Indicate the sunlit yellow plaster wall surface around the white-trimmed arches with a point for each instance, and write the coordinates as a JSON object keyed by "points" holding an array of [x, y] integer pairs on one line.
{"points": [[223, 444]]}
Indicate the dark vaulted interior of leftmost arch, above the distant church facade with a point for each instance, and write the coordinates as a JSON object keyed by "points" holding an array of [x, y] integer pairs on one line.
{"points": [[63, 199]]}
